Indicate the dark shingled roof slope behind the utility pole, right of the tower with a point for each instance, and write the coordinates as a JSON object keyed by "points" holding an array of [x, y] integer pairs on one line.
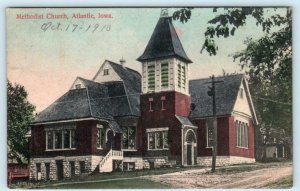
{"points": [[226, 94]]}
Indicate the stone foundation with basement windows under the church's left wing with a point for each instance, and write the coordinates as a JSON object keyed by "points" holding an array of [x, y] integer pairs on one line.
{"points": [[90, 163]]}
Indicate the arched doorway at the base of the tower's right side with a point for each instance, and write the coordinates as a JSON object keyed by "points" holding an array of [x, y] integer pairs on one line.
{"points": [[190, 147]]}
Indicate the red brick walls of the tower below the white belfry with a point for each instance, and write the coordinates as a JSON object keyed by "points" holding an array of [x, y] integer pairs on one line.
{"points": [[175, 104]]}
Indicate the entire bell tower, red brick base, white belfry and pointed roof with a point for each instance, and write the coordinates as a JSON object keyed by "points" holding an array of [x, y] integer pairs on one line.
{"points": [[165, 100]]}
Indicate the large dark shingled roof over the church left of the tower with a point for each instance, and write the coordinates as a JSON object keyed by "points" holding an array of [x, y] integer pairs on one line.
{"points": [[97, 100]]}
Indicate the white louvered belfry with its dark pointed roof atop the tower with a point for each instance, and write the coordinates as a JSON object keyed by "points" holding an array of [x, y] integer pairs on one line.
{"points": [[164, 61]]}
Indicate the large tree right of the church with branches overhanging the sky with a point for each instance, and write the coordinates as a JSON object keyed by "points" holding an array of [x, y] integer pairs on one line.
{"points": [[267, 63]]}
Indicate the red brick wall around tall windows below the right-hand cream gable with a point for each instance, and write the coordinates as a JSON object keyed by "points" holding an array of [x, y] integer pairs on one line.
{"points": [[236, 151]]}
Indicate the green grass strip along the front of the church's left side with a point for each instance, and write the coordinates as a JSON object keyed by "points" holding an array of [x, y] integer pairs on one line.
{"points": [[114, 180]]}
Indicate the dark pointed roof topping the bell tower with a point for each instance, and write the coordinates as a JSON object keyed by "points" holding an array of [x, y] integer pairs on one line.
{"points": [[164, 42]]}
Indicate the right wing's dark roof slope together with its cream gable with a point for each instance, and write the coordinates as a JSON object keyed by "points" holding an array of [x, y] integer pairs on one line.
{"points": [[227, 97]]}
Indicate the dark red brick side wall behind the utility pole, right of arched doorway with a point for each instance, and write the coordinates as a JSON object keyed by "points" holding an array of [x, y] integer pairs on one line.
{"points": [[223, 137]]}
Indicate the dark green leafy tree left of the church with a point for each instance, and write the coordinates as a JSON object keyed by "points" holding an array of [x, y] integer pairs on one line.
{"points": [[19, 117]]}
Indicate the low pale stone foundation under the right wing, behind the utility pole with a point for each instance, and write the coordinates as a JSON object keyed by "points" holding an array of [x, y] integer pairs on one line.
{"points": [[224, 160]]}
